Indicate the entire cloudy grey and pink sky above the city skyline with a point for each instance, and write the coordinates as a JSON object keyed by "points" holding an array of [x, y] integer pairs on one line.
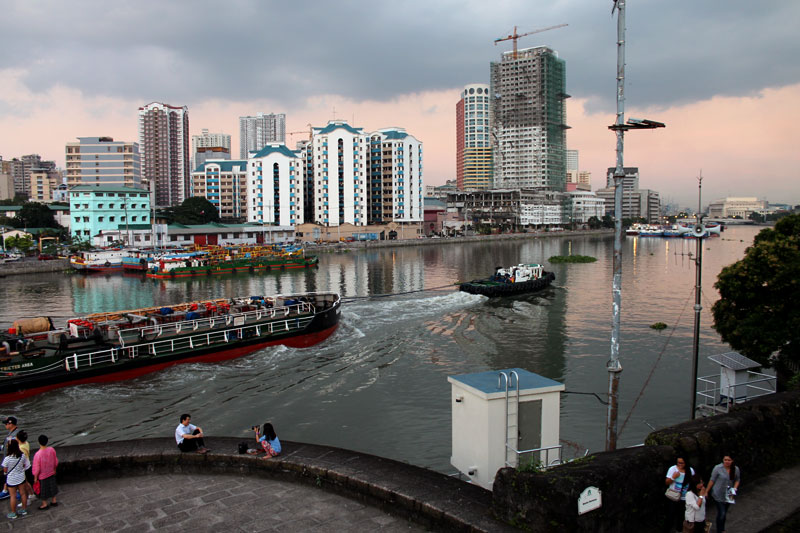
{"points": [[723, 75]]}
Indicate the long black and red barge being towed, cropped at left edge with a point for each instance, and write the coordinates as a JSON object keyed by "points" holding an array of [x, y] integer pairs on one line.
{"points": [[35, 356]]}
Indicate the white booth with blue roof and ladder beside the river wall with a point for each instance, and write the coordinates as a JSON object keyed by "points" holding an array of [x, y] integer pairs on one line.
{"points": [[501, 418]]}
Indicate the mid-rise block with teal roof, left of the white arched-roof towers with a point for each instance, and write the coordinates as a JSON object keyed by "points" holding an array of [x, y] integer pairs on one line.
{"points": [[224, 184]]}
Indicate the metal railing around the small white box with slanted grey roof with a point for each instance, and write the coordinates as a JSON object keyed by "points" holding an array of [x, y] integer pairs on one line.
{"points": [[713, 398]]}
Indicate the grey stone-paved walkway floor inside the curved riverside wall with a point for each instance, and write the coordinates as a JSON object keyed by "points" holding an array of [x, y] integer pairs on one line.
{"points": [[196, 502]]}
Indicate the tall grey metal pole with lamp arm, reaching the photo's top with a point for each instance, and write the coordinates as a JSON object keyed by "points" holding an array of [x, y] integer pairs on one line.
{"points": [[613, 365]]}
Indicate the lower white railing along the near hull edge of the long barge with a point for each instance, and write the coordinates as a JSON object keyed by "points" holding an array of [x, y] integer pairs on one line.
{"points": [[217, 338]]}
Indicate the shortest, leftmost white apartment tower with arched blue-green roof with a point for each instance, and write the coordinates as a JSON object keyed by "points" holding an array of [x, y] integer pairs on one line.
{"points": [[275, 188]]}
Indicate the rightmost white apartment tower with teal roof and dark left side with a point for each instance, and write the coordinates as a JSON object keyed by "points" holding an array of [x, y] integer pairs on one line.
{"points": [[395, 177]]}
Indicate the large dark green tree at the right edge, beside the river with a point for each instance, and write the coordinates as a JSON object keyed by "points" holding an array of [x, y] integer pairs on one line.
{"points": [[757, 313]]}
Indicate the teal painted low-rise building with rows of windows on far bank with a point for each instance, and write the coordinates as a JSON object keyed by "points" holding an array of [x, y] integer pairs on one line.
{"points": [[95, 210]]}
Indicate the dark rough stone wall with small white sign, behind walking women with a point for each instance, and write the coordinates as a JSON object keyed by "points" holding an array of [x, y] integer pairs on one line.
{"points": [[762, 435]]}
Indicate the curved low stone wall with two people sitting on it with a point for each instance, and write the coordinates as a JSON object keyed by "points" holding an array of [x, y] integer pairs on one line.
{"points": [[427, 498]]}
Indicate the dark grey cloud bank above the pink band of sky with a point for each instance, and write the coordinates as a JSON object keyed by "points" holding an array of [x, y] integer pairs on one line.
{"points": [[190, 51]]}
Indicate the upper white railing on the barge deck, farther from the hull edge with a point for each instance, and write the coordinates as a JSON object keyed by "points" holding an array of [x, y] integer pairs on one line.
{"points": [[153, 331]]}
